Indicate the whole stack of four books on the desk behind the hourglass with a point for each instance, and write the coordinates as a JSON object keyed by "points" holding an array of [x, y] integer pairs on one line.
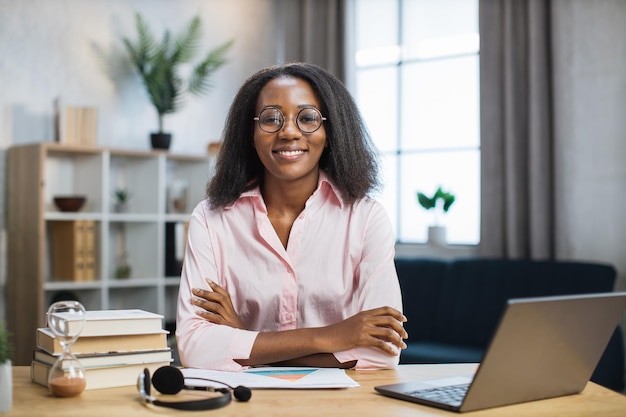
{"points": [[113, 348]]}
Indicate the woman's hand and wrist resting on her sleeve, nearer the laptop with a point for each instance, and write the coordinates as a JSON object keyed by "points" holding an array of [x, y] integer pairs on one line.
{"points": [[372, 328]]}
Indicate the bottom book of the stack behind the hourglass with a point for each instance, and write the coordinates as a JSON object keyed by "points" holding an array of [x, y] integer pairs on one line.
{"points": [[98, 378]]}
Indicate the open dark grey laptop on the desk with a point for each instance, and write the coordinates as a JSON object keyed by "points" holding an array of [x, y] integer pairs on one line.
{"points": [[543, 347]]}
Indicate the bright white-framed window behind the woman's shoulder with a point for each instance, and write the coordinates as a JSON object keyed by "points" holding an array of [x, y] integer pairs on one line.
{"points": [[416, 81]]}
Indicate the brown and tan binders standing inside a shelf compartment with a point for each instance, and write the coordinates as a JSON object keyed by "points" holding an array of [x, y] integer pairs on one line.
{"points": [[73, 250]]}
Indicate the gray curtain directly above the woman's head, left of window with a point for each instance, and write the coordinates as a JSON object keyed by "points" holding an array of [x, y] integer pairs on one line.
{"points": [[313, 31]]}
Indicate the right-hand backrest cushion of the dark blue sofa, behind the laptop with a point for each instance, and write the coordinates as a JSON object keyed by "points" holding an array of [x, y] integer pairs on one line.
{"points": [[474, 292]]}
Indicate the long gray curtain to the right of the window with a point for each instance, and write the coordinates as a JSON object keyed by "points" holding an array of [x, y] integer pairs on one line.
{"points": [[517, 174]]}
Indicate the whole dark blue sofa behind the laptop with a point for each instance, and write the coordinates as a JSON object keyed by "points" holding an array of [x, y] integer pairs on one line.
{"points": [[453, 306]]}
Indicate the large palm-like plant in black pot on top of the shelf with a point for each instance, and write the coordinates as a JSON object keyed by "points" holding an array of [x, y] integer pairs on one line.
{"points": [[159, 63]]}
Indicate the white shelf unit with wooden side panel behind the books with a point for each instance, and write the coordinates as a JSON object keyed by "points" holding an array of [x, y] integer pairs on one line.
{"points": [[38, 172]]}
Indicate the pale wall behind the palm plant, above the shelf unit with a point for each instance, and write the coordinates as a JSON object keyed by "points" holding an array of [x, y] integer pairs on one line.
{"points": [[72, 49]]}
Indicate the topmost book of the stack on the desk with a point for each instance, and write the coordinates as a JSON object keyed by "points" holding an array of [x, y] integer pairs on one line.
{"points": [[115, 322]]}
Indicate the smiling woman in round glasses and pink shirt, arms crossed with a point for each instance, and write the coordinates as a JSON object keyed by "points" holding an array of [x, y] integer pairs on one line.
{"points": [[288, 261]]}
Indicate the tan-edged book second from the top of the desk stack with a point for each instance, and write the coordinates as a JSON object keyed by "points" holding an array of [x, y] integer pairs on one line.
{"points": [[103, 344]]}
